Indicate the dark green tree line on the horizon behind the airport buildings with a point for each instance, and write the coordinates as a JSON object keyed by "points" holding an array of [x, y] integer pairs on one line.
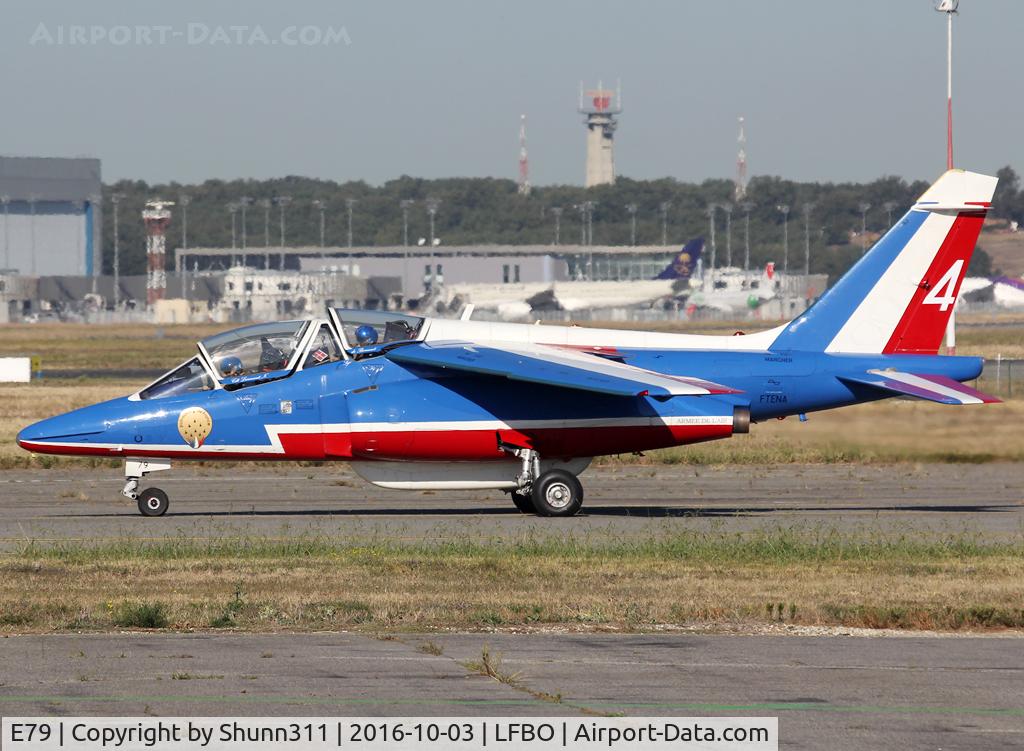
{"points": [[488, 211]]}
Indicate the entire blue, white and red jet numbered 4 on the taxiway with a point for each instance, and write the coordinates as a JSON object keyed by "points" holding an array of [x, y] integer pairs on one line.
{"points": [[419, 403]]}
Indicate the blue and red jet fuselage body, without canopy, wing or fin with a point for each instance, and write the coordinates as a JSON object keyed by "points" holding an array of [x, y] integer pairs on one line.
{"points": [[378, 409]]}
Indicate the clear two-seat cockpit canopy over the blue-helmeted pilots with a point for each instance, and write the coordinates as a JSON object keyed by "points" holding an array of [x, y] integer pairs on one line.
{"points": [[262, 353]]}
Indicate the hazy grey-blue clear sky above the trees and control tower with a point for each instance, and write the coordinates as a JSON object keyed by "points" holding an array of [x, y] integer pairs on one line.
{"points": [[832, 90]]}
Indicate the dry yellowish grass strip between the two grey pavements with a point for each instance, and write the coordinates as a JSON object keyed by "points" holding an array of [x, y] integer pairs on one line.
{"points": [[799, 577]]}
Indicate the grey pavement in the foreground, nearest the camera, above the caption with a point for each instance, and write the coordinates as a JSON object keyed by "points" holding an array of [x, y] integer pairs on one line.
{"points": [[831, 692]]}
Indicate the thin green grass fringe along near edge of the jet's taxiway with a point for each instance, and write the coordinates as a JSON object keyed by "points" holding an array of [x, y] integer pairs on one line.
{"points": [[777, 547]]}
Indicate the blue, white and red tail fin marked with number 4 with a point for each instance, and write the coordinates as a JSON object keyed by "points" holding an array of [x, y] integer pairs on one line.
{"points": [[900, 297]]}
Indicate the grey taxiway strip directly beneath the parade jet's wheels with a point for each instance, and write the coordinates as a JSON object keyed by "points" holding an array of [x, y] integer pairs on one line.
{"points": [[625, 502]]}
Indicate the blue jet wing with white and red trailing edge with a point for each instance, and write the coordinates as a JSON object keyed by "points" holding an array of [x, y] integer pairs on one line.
{"points": [[554, 367]]}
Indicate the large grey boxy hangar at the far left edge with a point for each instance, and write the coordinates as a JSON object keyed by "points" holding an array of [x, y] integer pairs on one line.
{"points": [[50, 217]]}
